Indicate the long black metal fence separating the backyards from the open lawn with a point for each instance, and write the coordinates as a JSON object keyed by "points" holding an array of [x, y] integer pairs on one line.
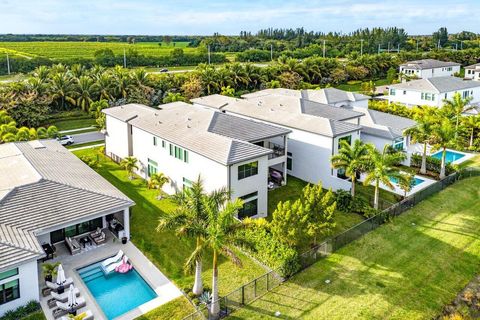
{"points": [[251, 291]]}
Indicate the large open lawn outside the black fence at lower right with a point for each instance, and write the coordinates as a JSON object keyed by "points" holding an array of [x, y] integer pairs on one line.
{"points": [[406, 269]]}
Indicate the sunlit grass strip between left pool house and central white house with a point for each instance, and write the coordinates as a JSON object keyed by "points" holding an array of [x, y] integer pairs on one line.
{"points": [[165, 249]]}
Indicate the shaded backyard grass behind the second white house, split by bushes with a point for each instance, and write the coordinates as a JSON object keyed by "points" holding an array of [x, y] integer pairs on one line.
{"points": [[293, 191]]}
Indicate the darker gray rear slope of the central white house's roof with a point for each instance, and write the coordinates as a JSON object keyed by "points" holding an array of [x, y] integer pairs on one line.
{"points": [[243, 129]]}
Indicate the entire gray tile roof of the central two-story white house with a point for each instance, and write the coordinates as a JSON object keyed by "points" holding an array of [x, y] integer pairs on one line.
{"points": [[199, 130]]}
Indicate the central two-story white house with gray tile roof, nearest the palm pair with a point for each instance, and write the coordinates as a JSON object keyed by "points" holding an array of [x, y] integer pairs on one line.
{"points": [[184, 142]]}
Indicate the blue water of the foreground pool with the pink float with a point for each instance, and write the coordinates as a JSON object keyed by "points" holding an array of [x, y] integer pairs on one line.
{"points": [[116, 293]]}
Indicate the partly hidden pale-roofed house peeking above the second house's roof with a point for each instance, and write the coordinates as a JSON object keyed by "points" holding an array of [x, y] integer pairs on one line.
{"points": [[330, 96]]}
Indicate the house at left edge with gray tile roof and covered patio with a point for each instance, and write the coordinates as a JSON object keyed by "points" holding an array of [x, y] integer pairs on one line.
{"points": [[46, 195]]}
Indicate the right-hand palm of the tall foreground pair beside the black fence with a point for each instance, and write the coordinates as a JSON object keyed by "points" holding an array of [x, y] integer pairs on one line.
{"points": [[219, 235]]}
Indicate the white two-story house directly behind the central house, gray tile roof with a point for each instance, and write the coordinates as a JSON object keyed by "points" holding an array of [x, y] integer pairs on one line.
{"points": [[316, 129]]}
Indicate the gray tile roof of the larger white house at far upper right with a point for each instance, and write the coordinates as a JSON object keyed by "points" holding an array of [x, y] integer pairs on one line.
{"points": [[437, 84]]}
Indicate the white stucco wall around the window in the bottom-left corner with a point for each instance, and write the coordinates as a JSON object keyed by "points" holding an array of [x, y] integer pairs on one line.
{"points": [[29, 290]]}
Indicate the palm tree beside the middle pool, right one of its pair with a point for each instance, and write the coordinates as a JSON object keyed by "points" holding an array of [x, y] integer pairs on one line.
{"points": [[383, 166]]}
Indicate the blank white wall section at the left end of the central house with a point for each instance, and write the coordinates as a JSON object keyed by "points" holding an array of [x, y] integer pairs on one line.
{"points": [[116, 139]]}
